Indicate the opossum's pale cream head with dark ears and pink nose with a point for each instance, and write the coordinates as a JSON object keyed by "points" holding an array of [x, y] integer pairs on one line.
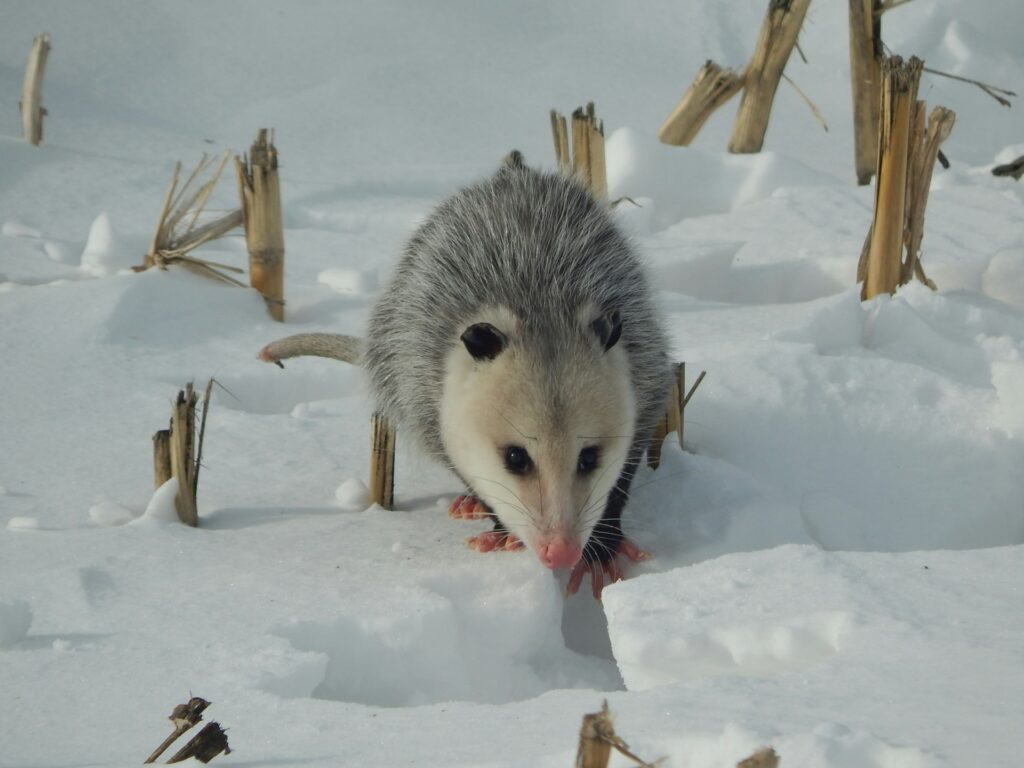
{"points": [[539, 422]]}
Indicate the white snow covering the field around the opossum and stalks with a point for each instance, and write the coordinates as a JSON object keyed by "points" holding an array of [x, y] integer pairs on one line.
{"points": [[838, 556]]}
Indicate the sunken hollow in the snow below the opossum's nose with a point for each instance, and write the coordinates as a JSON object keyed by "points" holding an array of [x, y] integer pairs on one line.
{"points": [[468, 636]]}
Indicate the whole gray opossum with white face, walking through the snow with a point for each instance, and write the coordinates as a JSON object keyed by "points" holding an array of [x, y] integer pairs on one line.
{"points": [[519, 343]]}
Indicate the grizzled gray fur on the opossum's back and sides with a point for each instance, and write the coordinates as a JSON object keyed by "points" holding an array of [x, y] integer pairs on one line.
{"points": [[539, 245]]}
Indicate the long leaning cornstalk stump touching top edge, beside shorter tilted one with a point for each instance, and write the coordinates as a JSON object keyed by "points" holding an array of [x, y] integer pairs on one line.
{"points": [[776, 44]]}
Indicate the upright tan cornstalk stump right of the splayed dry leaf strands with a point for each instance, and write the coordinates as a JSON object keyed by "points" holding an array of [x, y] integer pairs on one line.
{"points": [[261, 193]]}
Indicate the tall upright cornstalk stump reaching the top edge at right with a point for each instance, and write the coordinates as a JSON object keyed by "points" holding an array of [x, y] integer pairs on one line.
{"points": [[866, 77]]}
